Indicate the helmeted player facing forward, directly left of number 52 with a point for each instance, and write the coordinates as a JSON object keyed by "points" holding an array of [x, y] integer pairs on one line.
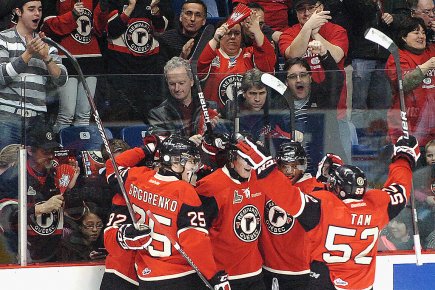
{"points": [[283, 268]]}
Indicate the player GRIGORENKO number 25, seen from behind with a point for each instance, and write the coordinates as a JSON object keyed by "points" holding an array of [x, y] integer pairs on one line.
{"points": [[175, 204]]}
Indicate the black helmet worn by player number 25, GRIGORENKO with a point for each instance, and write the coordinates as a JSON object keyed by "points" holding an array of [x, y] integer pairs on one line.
{"points": [[177, 149]]}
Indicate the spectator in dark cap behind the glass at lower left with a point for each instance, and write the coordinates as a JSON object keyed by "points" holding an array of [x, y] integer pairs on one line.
{"points": [[43, 198]]}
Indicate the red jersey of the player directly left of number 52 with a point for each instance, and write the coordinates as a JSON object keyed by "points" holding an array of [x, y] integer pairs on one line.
{"points": [[281, 230]]}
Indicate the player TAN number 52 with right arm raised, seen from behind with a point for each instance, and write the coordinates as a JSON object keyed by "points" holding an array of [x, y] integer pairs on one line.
{"points": [[344, 232]]}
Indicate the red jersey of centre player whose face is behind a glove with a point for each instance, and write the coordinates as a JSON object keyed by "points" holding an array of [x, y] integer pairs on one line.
{"points": [[234, 213]]}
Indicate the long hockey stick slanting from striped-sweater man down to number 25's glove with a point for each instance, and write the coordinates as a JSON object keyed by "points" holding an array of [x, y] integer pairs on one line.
{"points": [[99, 124]]}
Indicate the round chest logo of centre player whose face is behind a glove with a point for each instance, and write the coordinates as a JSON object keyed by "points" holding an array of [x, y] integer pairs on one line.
{"points": [[247, 224]]}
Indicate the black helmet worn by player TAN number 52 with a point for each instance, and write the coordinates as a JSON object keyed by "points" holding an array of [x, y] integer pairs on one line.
{"points": [[348, 181]]}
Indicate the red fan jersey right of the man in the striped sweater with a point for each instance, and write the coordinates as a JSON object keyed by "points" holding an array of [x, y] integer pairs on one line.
{"points": [[75, 34]]}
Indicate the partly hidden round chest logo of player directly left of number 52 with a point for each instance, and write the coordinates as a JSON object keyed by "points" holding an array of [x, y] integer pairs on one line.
{"points": [[277, 221]]}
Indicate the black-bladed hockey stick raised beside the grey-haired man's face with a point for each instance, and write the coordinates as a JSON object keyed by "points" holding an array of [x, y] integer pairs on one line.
{"points": [[206, 35]]}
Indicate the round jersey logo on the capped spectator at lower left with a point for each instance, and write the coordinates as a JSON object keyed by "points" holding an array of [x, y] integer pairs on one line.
{"points": [[46, 223]]}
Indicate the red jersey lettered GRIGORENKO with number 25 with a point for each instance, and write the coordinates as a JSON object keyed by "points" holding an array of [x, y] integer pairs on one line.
{"points": [[178, 208]]}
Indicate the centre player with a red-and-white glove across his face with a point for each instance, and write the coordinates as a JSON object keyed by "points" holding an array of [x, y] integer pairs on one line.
{"points": [[234, 197]]}
